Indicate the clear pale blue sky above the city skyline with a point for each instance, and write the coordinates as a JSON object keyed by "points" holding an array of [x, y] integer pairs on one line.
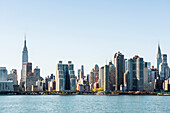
{"points": [[87, 32]]}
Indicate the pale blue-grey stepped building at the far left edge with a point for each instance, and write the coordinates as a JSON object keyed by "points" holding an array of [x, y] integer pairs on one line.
{"points": [[4, 84]]}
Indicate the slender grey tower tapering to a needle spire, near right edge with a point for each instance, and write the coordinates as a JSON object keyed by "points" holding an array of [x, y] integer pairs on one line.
{"points": [[158, 57]]}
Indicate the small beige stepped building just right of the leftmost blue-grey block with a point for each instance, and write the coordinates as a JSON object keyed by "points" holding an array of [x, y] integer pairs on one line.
{"points": [[13, 76]]}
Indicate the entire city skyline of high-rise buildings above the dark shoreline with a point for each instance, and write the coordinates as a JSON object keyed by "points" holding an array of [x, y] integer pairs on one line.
{"points": [[124, 75]]}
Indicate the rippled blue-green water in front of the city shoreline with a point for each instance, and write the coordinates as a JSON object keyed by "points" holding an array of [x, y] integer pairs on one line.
{"points": [[81, 104]]}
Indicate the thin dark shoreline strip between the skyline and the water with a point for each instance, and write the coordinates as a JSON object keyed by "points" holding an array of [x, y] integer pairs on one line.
{"points": [[87, 93]]}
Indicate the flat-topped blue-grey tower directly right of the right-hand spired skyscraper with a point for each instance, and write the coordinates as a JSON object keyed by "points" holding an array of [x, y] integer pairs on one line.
{"points": [[164, 68]]}
